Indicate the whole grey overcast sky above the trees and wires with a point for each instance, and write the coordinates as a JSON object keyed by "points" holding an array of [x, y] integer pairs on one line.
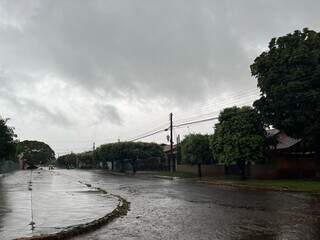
{"points": [[77, 72]]}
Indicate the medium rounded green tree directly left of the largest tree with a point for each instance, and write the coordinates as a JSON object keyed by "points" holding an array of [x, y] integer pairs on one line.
{"points": [[239, 137]]}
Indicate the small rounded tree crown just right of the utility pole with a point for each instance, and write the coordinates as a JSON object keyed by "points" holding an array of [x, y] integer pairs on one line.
{"points": [[195, 149]]}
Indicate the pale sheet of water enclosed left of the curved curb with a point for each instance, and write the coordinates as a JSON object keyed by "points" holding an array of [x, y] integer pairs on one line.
{"points": [[57, 202]]}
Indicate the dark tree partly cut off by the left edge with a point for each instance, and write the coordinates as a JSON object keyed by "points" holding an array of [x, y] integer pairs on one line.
{"points": [[7, 140]]}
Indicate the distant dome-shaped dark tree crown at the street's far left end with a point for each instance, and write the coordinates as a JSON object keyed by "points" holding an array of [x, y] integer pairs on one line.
{"points": [[36, 152]]}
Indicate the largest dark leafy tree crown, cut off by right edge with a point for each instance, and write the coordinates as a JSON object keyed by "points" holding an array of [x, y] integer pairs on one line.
{"points": [[288, 75]]}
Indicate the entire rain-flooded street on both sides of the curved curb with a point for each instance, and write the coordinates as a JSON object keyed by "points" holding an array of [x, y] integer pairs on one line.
{"points": [[160, 209]]}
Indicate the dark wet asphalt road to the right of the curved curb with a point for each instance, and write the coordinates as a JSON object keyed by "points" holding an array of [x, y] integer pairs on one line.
{"points": [[179, 209]]}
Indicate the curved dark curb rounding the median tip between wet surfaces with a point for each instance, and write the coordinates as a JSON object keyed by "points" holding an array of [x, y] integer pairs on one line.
{"points": [[121, 210]]}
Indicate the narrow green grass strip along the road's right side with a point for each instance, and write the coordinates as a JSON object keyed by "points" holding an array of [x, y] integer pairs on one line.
{"points": [[274, 184]]}
